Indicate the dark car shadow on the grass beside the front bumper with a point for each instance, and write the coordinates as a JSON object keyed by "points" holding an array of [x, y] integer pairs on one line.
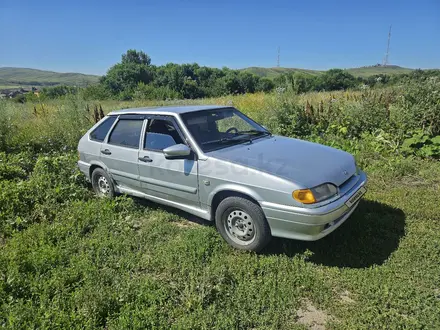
{"points": [[367, 238]]}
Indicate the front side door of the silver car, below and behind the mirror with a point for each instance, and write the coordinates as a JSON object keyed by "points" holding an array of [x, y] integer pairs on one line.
{"points": [[172, 179]]}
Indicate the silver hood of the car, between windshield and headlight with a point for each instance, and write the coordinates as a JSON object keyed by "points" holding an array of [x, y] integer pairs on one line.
{"points": [[302, 162]]}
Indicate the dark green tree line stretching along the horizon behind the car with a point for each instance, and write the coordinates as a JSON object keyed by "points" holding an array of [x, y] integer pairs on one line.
{"points": [[134, 77]]}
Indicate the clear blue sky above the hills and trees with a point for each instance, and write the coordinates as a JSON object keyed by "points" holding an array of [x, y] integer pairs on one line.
{"points": [[90, 36]]}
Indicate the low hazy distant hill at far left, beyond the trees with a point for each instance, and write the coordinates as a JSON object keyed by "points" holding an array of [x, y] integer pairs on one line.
{"points": [[23, 77]]}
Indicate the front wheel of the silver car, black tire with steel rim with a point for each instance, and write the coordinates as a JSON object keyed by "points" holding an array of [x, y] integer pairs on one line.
{"points": [[242, 224]]}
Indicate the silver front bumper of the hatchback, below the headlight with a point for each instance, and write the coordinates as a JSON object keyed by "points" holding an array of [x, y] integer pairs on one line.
{"points": [[310, 224]]}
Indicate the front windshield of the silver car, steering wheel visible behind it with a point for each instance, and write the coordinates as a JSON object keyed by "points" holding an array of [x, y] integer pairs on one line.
{"points": [[220, 128]]}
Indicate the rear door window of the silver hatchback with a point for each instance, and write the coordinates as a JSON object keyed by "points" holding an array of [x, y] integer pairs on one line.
{"points": [[127, 133]]}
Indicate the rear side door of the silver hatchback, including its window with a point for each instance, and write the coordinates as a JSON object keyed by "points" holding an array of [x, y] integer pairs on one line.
{"points": [[120, 151]]}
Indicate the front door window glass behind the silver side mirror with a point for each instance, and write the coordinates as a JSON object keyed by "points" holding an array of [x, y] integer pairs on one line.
{"points": [[161, 134]]}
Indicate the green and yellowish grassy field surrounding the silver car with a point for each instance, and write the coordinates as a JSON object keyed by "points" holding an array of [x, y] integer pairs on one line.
{"points": [[71, 260]]}
